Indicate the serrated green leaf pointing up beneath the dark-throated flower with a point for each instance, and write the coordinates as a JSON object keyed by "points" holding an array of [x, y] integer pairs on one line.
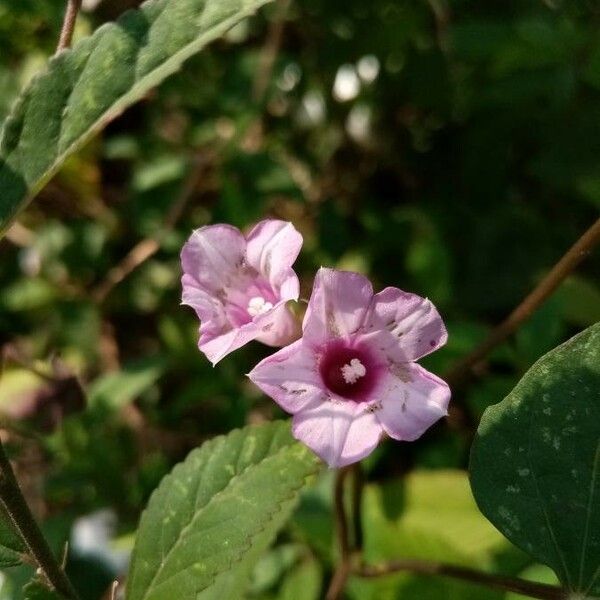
{"points": [[223, 502]]}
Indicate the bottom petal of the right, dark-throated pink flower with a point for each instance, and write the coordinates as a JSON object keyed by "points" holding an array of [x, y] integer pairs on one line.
{"points": [[341, 433]]}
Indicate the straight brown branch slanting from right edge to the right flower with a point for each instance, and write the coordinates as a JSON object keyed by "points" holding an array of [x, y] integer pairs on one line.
{"points": [[561, 270]]}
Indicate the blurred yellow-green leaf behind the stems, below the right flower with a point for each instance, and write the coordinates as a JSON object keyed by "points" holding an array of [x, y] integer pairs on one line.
{"points": [[430, 515]]}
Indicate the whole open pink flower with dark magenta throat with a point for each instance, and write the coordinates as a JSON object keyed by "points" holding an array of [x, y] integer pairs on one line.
{"points": [[352, 376]]}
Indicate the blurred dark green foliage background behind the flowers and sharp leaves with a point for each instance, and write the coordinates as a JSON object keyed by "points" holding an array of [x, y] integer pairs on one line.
{"points": [[450, 148]]}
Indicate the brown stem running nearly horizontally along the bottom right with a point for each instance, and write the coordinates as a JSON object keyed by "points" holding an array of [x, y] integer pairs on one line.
{"points": [[508, 584]]}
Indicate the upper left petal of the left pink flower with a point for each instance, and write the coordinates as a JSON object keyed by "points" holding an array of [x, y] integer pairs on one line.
{"points": [[213, 256]]}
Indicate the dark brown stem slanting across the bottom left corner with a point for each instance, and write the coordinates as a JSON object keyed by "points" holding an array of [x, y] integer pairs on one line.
{"points": [[21, 517]]}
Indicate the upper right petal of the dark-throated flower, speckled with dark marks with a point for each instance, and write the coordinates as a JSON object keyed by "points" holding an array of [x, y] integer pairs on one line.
{"points": [[404, 326]]}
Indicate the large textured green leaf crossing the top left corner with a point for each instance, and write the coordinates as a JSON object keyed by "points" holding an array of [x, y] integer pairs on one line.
{"points": [[84, 88]]}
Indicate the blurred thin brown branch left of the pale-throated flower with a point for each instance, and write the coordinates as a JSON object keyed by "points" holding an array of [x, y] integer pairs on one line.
{"points": [[147, 247]]}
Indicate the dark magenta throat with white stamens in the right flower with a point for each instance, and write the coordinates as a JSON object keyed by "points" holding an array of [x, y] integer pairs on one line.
{"points": [[348, 370]]}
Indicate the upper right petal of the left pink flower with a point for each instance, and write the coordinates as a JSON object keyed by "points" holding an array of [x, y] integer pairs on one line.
{"points": [[273, 247]]}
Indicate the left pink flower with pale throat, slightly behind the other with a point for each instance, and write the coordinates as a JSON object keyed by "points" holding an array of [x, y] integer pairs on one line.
{"points": [[239, 286]]}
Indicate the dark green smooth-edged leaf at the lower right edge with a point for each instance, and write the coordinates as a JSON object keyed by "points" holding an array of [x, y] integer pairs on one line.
{"points": [[535, 463]]}
